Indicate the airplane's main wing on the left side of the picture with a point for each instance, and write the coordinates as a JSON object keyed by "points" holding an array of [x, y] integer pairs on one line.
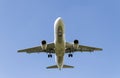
{"points": [[38, 49]]}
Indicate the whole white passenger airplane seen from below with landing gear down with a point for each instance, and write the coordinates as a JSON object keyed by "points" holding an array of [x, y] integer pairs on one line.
{"points": [[59, 47]]}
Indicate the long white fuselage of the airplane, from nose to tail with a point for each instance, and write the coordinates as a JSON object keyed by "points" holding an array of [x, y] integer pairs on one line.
{"points": [[59, 41]]}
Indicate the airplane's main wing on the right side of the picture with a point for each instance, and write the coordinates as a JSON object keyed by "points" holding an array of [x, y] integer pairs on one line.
{"points": [[81, 48]]}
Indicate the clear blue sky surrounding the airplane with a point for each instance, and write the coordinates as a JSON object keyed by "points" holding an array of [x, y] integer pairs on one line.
{"points": [[24, 23]]}
